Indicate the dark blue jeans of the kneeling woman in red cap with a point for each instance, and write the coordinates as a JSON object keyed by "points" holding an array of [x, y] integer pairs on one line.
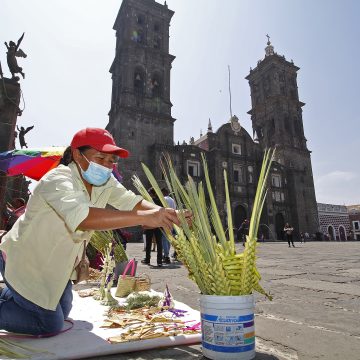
{"points": [[20, 315]]}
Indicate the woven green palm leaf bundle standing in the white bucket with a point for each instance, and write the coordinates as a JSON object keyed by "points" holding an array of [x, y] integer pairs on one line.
{"points": [[205, 248]]}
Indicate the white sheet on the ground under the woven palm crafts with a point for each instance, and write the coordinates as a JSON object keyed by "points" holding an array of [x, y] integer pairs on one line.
{"points": [[87, 339]]}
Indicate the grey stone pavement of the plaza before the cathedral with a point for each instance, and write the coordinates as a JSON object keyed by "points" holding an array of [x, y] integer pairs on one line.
{"points": [[315, 313]]}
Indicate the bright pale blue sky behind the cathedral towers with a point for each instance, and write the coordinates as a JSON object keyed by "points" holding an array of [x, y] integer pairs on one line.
{"points": [[71, 44]]}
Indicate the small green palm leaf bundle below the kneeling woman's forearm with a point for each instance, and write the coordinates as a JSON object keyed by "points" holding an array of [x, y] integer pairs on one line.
{"points": [[101, 241]]}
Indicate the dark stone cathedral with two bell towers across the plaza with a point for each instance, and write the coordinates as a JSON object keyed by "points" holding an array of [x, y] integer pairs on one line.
{"points": [[140, 120]]}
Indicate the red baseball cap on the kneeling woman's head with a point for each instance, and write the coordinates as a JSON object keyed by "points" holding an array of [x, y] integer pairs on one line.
{"points": [[99, 139]]}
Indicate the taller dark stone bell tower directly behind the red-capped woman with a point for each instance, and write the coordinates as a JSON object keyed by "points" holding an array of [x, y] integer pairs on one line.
{"points": [[140, 114]]}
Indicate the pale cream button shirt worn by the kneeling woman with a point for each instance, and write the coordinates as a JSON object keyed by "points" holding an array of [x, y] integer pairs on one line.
{"points": [[42, 247]]}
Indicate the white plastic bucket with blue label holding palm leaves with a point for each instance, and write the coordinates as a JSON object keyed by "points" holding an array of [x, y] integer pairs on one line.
{"points": [[228, 329]]}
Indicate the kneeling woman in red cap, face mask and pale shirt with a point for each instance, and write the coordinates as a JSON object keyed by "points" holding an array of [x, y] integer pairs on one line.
{"points": [[39, 254]]}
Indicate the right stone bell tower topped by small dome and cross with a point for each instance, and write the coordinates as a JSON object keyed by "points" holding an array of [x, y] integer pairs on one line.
{"points": [[276, 116]]}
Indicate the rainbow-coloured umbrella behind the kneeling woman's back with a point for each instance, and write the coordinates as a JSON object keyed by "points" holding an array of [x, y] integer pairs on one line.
{"points": [[33, 163]]}
